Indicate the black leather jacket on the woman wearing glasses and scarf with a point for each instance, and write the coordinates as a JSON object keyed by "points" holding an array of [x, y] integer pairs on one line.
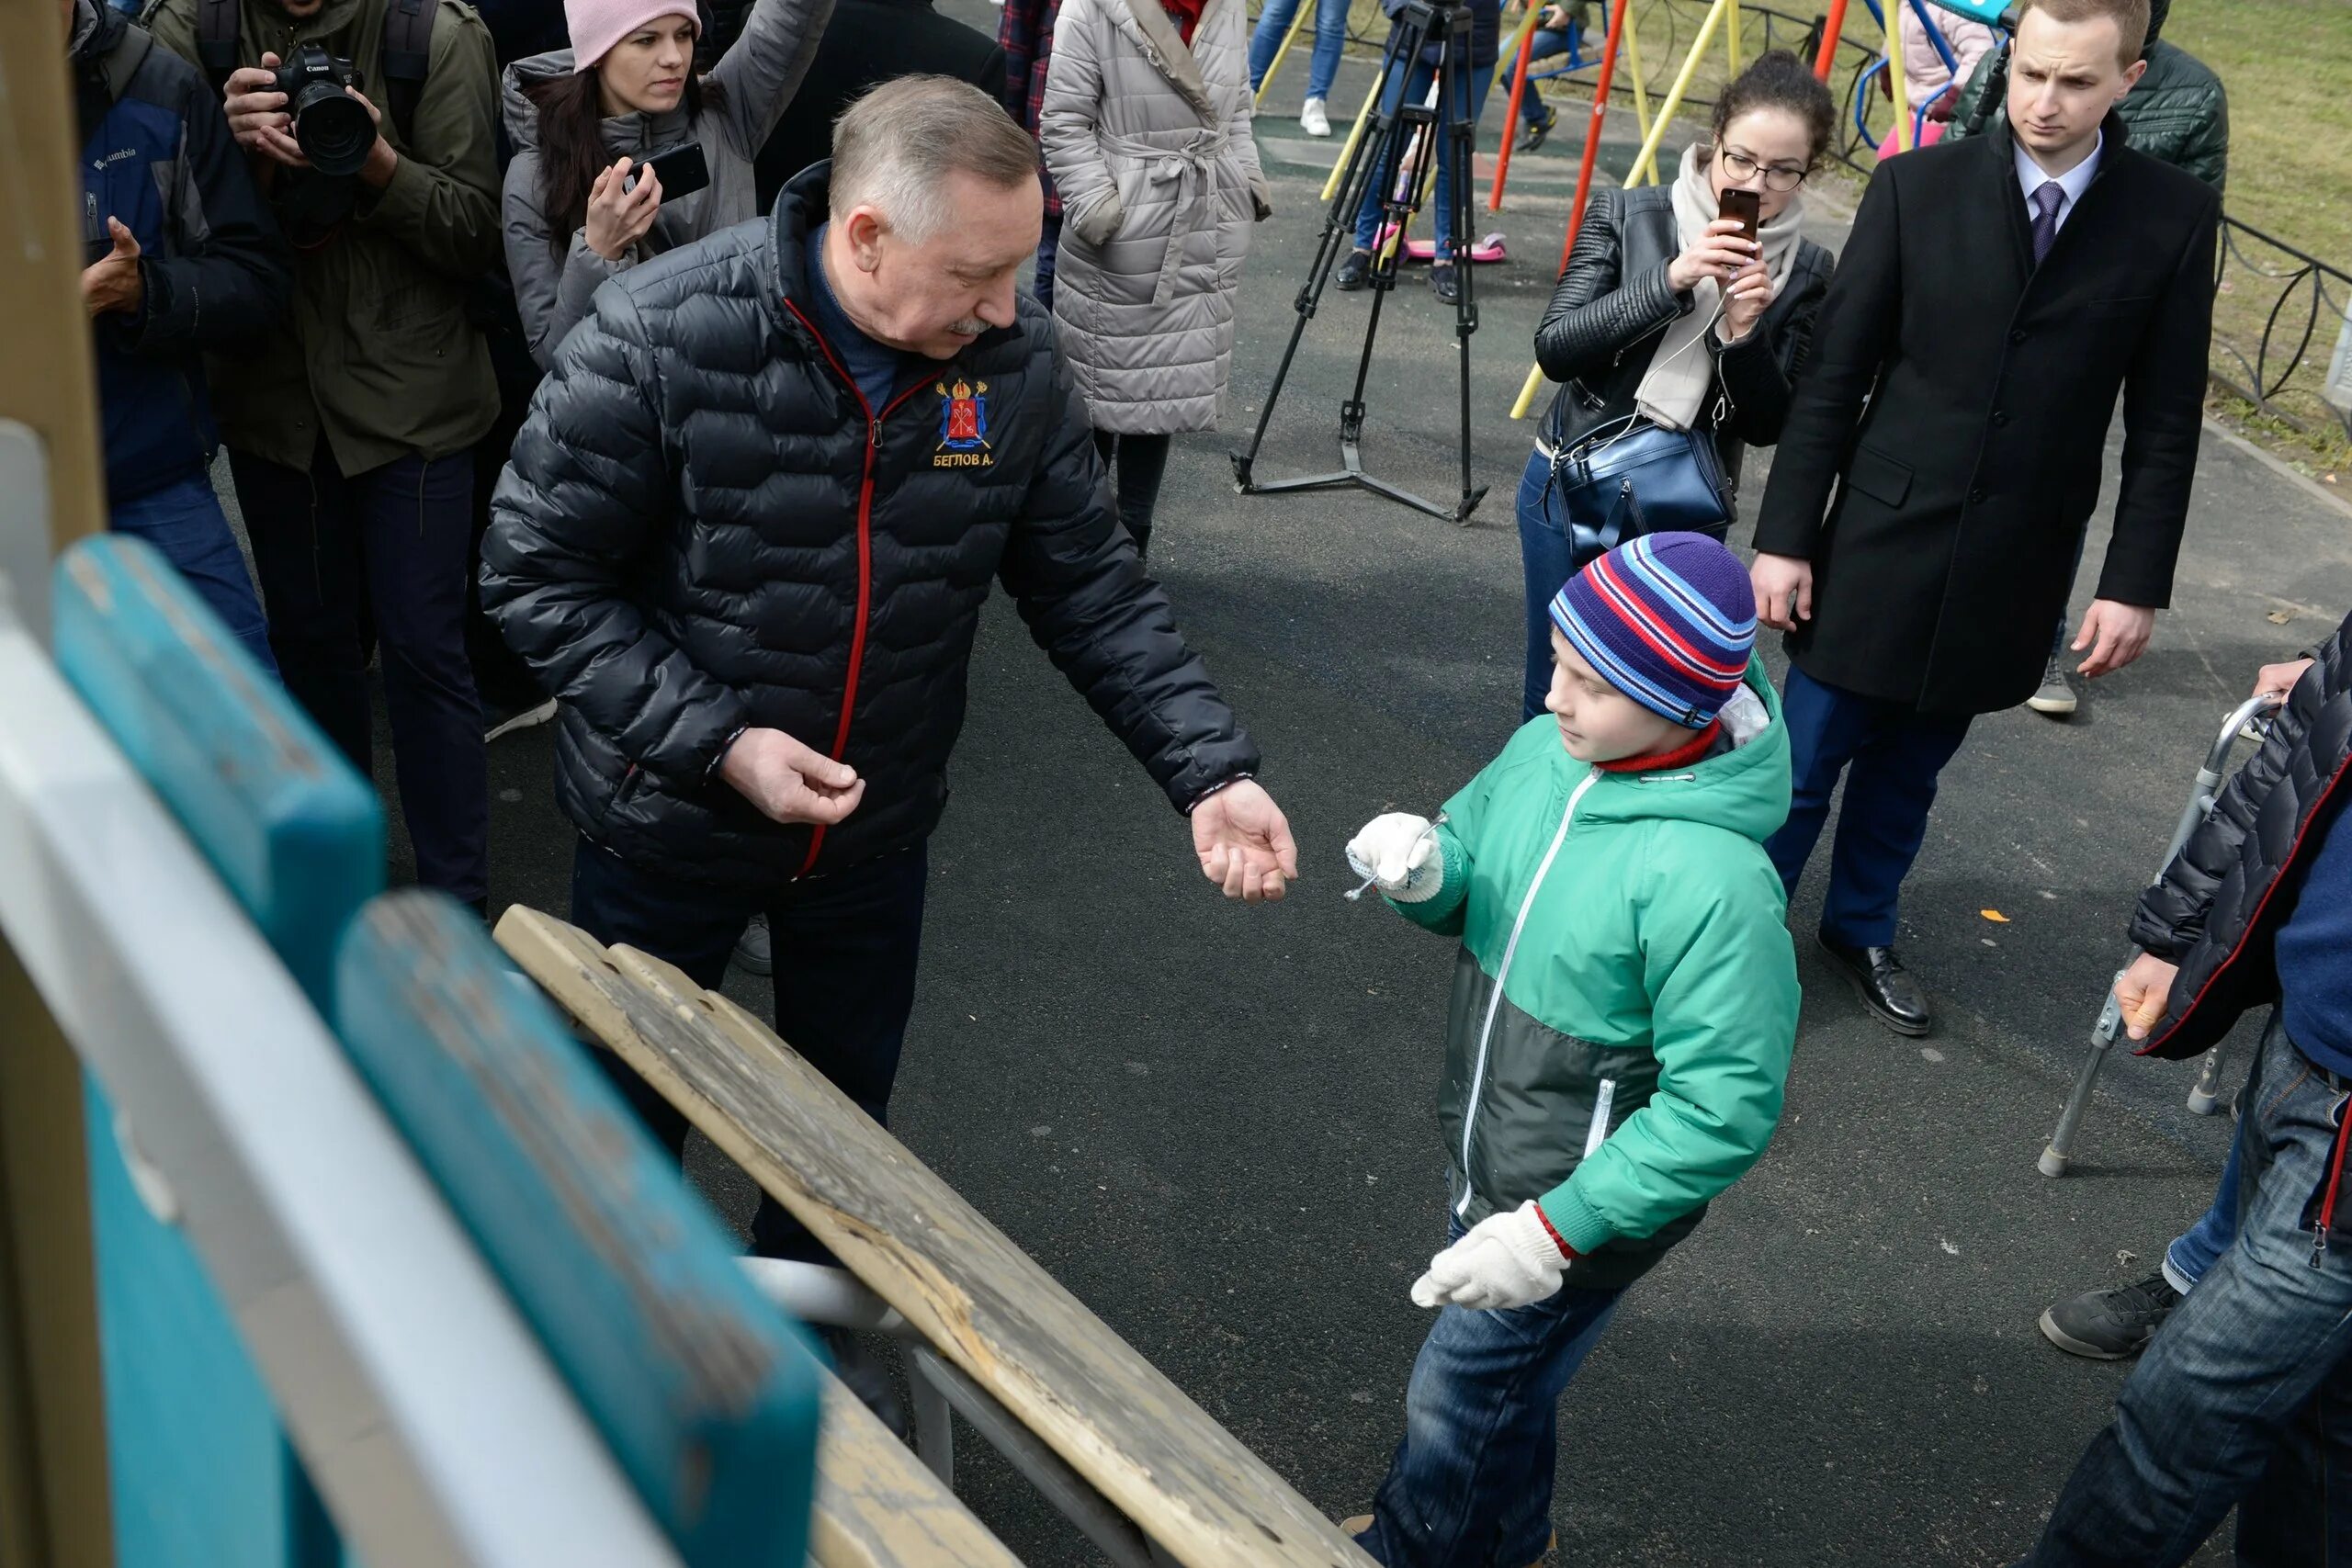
{"points": [[1612, 307]]}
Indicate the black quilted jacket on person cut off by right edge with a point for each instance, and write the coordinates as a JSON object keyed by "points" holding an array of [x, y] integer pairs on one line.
{"points": [[2219, 906]]}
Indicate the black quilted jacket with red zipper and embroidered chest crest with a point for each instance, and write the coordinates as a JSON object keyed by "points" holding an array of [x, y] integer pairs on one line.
{"points": [[702, 528]]}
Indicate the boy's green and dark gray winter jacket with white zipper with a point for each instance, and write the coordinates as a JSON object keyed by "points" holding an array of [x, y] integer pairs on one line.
{"points": [[1648, 986]]}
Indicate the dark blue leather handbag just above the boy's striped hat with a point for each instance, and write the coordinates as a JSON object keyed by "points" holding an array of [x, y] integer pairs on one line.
{"points": [[1633, 478]]}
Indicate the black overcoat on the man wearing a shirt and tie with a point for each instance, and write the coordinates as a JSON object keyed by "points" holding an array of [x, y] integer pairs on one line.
{"points": [[1958, 403]]}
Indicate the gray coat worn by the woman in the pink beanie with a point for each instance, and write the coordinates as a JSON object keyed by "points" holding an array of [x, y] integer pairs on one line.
{"points": [[742, 102]]}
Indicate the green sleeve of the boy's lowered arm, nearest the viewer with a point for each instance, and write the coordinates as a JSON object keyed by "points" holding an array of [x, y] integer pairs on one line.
{"points": [[1723, 984]]}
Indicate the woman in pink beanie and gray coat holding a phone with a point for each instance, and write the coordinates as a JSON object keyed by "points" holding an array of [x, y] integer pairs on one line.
{"points": [[582, 119]]}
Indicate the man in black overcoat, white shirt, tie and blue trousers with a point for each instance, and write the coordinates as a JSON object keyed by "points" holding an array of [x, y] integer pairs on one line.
{"points": [[1944, 455]]}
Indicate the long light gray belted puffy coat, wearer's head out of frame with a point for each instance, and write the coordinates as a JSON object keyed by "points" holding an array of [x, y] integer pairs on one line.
{"points": [[1149, 145]]}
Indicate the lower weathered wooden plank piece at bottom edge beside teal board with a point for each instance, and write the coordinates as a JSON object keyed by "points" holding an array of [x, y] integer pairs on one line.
{"points": [[878, 1508]]}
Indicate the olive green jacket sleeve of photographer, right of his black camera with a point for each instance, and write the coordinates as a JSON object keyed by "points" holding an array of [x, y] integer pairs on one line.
{"points": [[443, 199]]}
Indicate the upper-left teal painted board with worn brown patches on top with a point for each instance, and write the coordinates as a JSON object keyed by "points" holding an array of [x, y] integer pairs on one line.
{"points": [[286, 822]]}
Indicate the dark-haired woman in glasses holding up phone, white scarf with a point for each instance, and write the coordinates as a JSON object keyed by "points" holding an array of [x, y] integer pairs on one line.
{"points": [[1669, 316]]}
